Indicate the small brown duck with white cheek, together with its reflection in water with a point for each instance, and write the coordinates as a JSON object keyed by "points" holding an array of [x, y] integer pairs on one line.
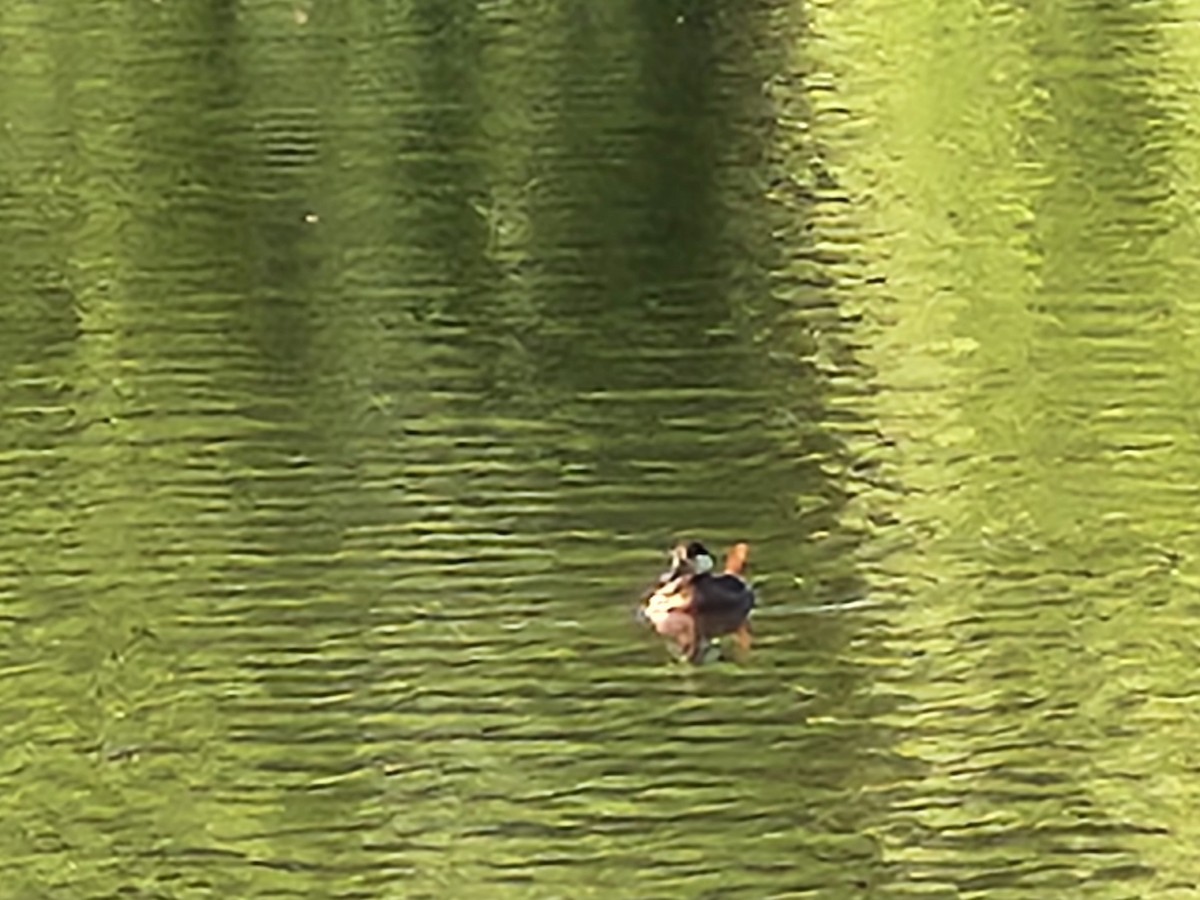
{"points": [[691, 605]]}
